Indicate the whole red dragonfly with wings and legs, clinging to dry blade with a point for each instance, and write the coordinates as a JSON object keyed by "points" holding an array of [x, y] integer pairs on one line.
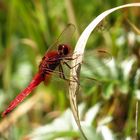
{"points": [[57, 55]]}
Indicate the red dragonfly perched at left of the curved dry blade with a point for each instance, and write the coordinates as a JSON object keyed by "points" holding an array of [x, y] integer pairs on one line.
{"points": [[51, 60]]}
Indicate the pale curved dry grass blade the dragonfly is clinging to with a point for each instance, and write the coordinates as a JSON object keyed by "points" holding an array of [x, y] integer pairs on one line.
{"points": [[79, 49]]}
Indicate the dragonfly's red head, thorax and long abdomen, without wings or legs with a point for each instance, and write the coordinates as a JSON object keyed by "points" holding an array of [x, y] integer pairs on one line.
{"points": [[48, 64]]}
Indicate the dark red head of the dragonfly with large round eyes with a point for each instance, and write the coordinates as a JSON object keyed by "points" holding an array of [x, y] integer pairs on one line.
{"points": [[63, 49]]}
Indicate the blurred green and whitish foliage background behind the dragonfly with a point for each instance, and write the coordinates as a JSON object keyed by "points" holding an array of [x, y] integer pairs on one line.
{"points": [[29, 27]]}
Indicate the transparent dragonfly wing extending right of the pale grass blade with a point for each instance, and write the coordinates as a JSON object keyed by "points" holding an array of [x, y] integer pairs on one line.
{"points": [[95, 63]]}
